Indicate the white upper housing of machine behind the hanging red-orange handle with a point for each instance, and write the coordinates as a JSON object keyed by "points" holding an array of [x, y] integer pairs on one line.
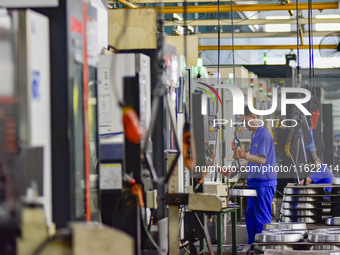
{"points": [[112, 69]]}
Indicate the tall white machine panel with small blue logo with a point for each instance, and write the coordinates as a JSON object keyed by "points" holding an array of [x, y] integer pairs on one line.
{"points": [[34, 89]]}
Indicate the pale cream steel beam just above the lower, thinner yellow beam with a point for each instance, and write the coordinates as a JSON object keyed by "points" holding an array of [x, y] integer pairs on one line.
{"points": [[261, 34]]}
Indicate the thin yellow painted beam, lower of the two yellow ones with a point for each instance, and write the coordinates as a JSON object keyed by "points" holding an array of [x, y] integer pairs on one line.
{"points": [[263, 47]]}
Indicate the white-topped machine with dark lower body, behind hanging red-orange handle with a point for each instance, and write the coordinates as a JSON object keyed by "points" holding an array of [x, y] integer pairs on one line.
{"points": [[124, 80]]}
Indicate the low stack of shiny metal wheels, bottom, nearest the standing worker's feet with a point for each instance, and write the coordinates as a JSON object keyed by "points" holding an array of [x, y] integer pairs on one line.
{"points": [[280, 236]]}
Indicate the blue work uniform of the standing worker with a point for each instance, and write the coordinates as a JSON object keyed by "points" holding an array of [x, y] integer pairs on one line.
{"points": [[262, 178]]}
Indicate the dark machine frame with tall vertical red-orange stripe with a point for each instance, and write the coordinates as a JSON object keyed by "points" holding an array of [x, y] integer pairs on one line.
{"points": [[74, 137]]}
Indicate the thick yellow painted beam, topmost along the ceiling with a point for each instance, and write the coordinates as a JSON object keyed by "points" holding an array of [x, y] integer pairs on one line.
{"points": [[243, 8]]}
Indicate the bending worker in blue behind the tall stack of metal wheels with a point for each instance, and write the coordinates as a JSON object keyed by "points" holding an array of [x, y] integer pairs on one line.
{"points": [[321, 173]]}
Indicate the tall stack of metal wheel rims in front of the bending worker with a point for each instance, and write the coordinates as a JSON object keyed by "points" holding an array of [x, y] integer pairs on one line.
{"points": [[305, 204]]}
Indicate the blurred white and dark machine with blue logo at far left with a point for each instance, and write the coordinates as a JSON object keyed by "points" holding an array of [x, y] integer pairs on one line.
{"points": [[25, 131]]}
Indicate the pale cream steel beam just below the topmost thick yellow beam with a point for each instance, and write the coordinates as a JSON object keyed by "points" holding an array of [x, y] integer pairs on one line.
{"points": [[247, 22]]}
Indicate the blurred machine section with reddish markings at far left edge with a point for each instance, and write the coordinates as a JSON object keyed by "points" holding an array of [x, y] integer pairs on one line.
{"points": [[9, 137]]}
